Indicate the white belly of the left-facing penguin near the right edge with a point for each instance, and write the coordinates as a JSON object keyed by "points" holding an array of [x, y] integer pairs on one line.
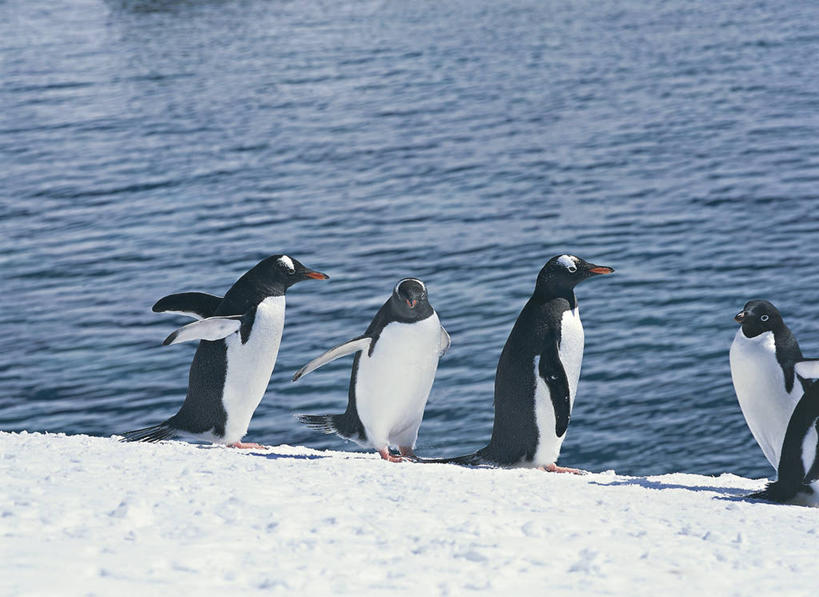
{"points": [[760, 387]]}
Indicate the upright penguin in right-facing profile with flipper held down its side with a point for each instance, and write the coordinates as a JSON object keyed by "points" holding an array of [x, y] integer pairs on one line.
{"points": [[538, 371]]}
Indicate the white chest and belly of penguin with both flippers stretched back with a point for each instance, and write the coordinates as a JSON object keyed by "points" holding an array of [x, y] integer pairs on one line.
{"points": [[250, 365]]}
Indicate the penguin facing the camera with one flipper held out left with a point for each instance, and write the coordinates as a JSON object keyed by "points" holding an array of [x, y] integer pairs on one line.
{"points": [[393, 369]]}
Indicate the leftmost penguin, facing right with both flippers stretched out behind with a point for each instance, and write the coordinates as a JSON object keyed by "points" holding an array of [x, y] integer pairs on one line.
{"points": [[239, 340]]}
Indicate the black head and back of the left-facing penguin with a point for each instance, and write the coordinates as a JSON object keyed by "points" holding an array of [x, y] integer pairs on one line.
{"points": [[758, 317]]}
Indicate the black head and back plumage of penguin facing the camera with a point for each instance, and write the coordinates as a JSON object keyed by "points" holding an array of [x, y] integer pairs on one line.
{"points": [[407, 304]]}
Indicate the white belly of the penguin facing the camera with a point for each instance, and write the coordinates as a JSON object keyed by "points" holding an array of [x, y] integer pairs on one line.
{"points": [[392, 385]]}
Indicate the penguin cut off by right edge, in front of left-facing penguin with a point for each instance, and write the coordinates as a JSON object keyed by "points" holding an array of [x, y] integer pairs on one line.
{"points": [[798, 471]]}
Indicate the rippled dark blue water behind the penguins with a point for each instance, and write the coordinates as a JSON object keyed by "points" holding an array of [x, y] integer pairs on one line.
{"points": [[149, 147]]}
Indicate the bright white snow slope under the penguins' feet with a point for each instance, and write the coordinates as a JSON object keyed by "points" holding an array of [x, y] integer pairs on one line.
{"points": [[88, 515]]}
